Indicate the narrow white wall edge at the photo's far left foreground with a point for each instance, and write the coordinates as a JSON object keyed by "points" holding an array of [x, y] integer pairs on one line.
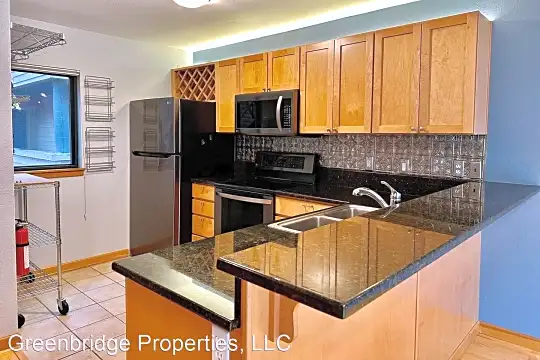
{"points": [[8, 302]]}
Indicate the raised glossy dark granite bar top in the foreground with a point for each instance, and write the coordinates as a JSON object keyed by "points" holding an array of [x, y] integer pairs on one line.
{"points": [[341, 267]]}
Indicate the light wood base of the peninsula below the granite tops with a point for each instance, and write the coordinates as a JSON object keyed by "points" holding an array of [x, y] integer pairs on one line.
{"points": [[431, 315]]}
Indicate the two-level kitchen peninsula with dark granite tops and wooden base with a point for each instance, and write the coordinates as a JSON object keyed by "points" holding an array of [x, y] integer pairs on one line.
{"points": [[375, 282]]}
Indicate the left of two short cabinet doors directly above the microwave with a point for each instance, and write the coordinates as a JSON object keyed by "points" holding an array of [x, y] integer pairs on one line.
{"points": [[253, 73]]}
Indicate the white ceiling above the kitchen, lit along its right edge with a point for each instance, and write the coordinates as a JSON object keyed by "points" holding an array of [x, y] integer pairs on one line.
{"points": [[221, 23]]}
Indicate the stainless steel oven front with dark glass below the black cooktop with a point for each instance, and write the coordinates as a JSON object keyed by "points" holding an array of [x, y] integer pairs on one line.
{"points": [[237, 209]]}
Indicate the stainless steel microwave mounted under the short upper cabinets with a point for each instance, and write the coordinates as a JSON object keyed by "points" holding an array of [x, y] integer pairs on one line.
{"points": [[268, 113]]}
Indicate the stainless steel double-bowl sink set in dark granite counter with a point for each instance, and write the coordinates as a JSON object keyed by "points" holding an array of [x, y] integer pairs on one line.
{"points": [[321, 218]]}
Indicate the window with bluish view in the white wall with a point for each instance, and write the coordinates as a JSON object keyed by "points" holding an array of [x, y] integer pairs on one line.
{"points": [[44, 116]]}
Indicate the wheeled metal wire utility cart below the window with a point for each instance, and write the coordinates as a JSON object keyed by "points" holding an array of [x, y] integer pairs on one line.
{"points": [[38, 282]]}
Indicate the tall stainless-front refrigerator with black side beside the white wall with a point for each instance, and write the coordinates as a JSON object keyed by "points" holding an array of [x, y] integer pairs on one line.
{"points": [[172, 141]]}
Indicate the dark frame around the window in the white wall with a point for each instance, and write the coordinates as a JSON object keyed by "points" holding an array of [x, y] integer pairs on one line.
{"points": [[74, 81]]}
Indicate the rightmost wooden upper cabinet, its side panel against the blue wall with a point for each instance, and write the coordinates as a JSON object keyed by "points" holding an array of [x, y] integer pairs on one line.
{"points": [[454, 81]]}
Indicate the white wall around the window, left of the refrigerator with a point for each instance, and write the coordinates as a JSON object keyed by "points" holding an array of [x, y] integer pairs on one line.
{"points": [[139, 71]]}
